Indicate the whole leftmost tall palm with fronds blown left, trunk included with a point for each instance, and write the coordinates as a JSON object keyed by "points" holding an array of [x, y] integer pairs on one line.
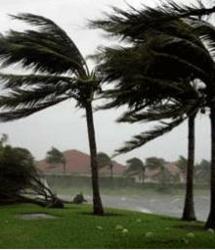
{"points": [[59, 73]]}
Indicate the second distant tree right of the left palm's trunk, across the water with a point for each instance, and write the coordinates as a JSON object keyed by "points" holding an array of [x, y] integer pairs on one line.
{"points": [[135, 167]]}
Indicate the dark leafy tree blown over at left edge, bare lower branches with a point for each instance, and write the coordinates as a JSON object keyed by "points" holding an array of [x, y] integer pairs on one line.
{"points": [[20, 180]]}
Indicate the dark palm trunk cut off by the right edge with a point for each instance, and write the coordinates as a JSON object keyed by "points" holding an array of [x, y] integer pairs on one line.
{"points": [[211, 218]]}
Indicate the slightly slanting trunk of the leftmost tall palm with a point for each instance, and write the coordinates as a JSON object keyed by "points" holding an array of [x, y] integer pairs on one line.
{"points": [[97, 203]]}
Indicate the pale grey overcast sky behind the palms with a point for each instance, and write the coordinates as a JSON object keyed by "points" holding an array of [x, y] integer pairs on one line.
{"points": [[64, 126]]}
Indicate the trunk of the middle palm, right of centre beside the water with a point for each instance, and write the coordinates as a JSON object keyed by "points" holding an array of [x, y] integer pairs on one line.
{"points": [[189, 212]]}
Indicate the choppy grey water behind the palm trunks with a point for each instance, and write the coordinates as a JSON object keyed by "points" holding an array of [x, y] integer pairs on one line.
{"points": [[162, 204]]}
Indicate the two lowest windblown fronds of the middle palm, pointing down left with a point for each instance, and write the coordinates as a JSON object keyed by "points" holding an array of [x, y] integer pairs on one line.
{"points": [[178, 112]]}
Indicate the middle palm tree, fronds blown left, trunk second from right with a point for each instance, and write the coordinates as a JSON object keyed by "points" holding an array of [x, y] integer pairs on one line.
{"points": [[153, 99]]}
